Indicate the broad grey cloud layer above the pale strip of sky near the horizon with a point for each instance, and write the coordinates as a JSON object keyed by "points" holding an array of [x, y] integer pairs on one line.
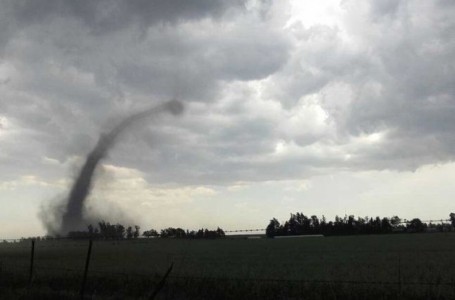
{"points": [[266, 100]]}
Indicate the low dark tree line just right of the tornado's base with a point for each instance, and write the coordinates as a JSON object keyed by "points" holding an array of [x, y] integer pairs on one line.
{"points": [[105, 230]]}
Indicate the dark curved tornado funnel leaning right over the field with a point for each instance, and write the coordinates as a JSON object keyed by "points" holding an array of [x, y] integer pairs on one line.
{"points": [[72, 217]]}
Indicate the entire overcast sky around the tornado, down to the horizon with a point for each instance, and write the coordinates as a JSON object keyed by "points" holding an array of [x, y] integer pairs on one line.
{"points": [[322, 107]]}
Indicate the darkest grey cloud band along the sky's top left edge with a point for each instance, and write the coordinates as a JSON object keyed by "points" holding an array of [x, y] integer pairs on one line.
{"points": [[102, 17]]}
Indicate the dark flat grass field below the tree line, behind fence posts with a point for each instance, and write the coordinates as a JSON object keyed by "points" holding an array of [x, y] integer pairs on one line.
{"points": [[401, 266]]}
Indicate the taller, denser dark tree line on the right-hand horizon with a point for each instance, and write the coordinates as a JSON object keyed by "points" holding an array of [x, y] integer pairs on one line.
{"points": [[299, 224]]}
